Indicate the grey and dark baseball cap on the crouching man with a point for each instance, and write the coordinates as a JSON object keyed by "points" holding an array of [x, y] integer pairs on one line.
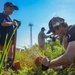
{"points": [[55, 21]]}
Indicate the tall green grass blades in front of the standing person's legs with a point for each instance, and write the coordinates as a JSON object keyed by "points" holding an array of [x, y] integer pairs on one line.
{"points": [[6, 49]]}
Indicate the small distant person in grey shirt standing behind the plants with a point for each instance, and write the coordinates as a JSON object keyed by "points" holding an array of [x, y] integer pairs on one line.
{"points": [[41, 39]]}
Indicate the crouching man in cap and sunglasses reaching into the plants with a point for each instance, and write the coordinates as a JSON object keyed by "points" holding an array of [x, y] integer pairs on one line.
{"points": [[58, 26]]}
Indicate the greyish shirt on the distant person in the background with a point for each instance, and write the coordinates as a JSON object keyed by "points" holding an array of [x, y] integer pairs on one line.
{"points": [[41, 38]]}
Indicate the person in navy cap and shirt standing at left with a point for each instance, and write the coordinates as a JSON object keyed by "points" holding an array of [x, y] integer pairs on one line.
{"points": [[7, 25]]}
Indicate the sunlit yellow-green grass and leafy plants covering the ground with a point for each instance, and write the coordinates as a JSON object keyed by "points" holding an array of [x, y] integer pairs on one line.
{"points": [[27, 59]]}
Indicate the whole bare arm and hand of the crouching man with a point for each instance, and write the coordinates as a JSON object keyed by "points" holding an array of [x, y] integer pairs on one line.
{"points": [[66, 59]]}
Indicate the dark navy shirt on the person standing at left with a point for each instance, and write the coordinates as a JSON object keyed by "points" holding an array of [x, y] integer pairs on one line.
{"points": [[5, 29]]}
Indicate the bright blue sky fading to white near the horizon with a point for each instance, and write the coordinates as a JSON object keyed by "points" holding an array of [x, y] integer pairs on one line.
{"points": [[38, 13]]}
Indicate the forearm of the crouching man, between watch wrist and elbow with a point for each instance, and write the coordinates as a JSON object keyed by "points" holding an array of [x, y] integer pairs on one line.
{"points": [[62, 60]]}
